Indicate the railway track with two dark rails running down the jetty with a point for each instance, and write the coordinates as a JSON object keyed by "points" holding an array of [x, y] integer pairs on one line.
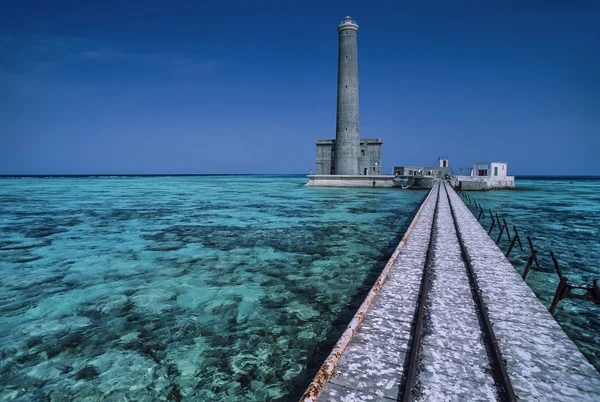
{"points": [[453, 351]]}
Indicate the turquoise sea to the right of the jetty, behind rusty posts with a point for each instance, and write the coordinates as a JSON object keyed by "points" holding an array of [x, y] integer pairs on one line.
{"points": [[561, 215]]}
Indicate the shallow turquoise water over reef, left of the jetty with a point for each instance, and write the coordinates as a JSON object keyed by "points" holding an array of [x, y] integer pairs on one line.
{"points": [[182, 288]]}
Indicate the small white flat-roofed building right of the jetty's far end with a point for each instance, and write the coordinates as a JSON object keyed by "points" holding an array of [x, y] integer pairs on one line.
{"points": [[486, 176]]}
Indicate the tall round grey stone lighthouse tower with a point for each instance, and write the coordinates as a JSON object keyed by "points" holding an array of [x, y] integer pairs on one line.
{"points": [[347, 136]]}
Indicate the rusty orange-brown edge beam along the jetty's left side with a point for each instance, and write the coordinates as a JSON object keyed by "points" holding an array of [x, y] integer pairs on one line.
{"points": [[328, 367]]}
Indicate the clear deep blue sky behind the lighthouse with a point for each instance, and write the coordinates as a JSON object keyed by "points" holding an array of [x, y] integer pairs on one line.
{"points": [[248, 86]]}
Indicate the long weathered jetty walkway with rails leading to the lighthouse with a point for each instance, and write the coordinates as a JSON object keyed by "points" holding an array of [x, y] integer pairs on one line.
{"points": [[450, 319]]}
